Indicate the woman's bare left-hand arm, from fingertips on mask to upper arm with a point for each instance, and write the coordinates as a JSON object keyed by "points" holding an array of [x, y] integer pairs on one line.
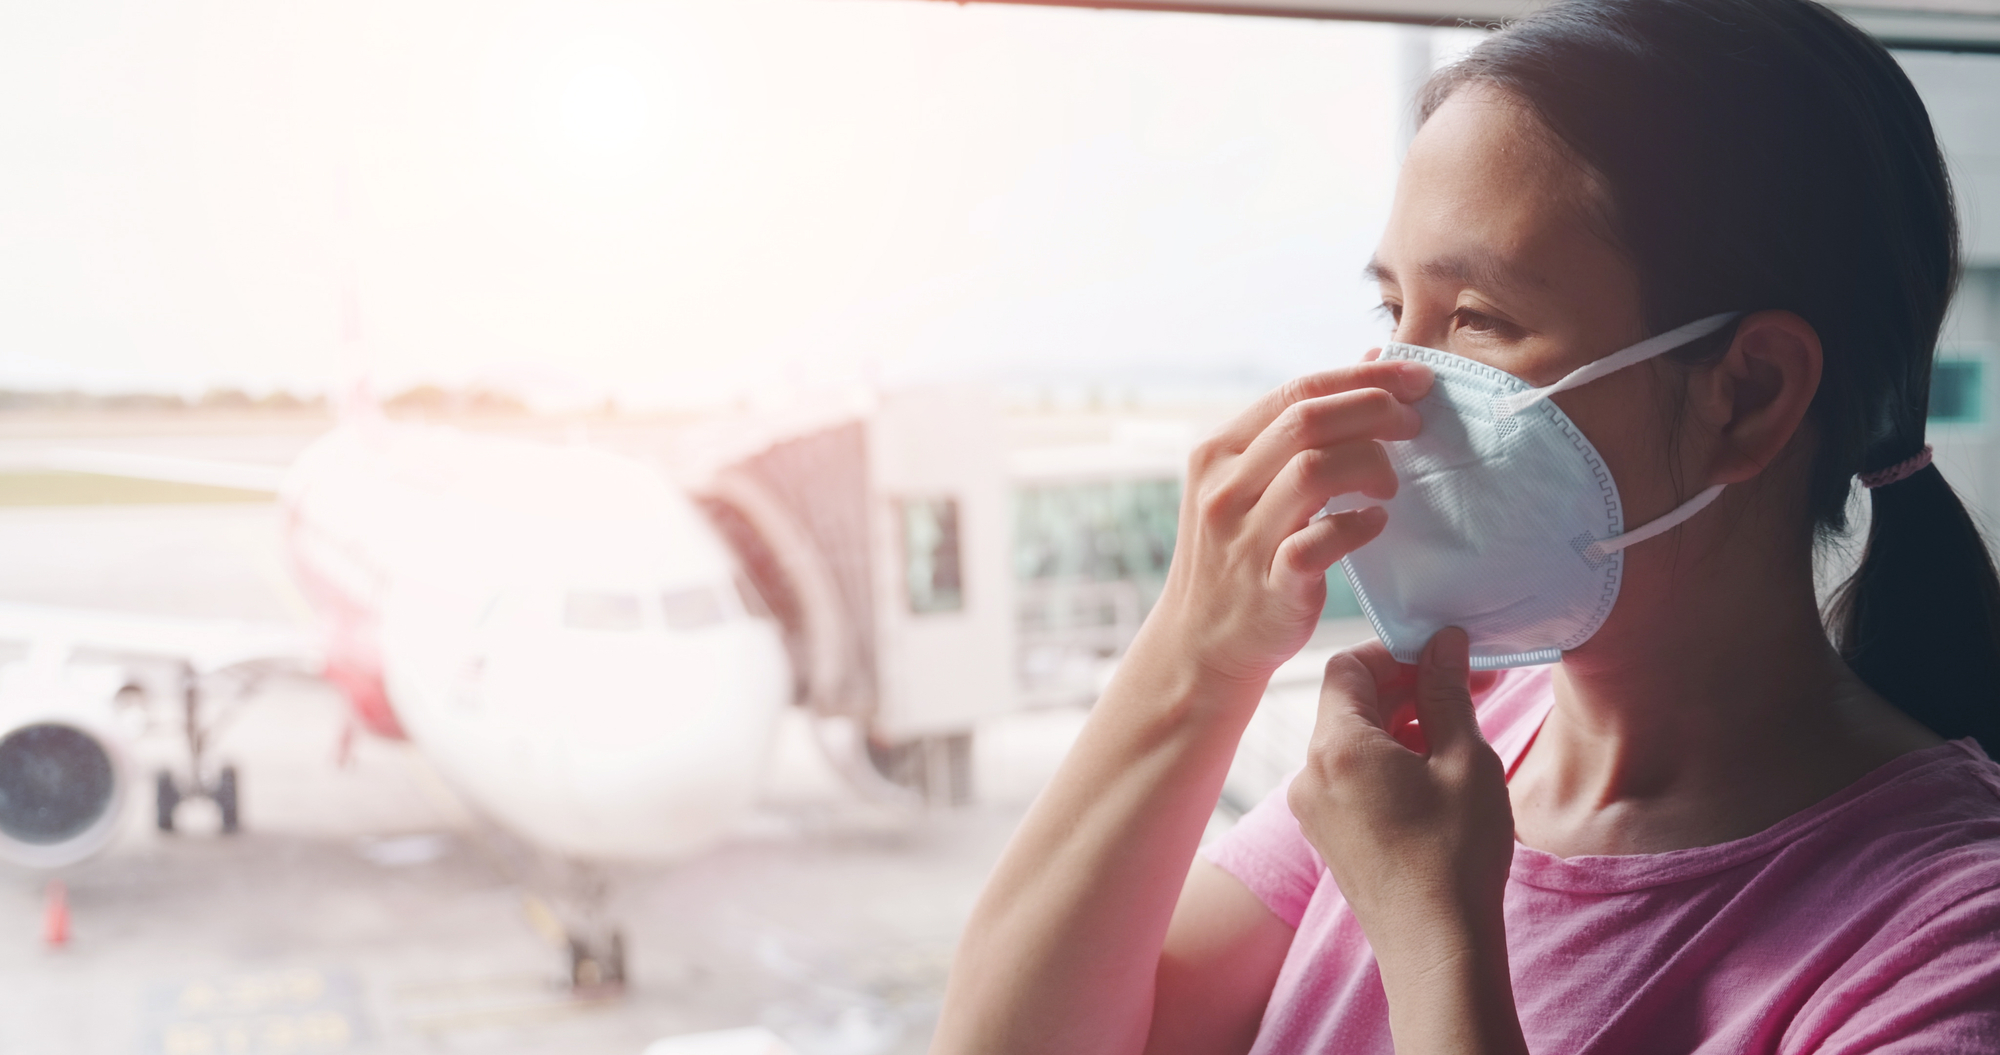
{"points": [[1065, 950]]}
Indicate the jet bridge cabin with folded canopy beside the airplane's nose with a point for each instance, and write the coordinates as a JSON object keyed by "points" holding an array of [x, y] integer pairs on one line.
{"points": [[881, 544]]}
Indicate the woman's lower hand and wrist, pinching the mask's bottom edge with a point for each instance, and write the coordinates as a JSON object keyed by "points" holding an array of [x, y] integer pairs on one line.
{"points": [[1409, 808]]}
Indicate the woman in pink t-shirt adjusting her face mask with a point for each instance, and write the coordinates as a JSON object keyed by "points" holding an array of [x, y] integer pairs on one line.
{"points": [[1709, 828]]}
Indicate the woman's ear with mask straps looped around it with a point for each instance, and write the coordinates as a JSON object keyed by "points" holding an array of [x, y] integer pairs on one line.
{"points": [[1757, 397]]}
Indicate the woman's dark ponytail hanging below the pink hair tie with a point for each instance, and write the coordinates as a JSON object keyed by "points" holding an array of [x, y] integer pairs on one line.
{"points": [[1921, 618]]}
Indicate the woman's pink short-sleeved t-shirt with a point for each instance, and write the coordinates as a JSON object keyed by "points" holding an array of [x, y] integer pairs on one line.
{"points": [[1869, 922]]}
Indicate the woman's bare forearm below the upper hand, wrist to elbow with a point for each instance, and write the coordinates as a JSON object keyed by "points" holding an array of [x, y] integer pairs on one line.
{"points": [[1063, 950]]}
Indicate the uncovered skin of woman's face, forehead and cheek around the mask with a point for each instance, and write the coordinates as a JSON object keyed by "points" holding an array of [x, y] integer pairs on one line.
{"points": [[1497, 253]]}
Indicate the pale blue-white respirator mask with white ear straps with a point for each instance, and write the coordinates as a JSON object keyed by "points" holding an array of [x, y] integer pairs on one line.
{"points": [[1505, 523]]}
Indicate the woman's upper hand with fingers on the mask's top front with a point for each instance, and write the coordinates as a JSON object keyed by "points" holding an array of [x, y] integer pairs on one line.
{"points": [[1249, 574]]}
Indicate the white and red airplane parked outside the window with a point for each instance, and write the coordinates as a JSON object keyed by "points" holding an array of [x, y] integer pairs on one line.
{"points": [[563, 634]]}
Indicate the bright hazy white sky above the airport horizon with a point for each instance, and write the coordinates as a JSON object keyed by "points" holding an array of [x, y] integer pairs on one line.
{"points": [[687, 201]]}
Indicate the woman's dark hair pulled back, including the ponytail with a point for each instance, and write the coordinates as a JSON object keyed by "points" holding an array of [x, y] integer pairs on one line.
{"points": [[1767, 155]]}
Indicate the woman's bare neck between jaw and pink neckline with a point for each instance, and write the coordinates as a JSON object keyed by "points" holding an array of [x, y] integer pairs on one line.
{"points": [[1721, 714]]}
